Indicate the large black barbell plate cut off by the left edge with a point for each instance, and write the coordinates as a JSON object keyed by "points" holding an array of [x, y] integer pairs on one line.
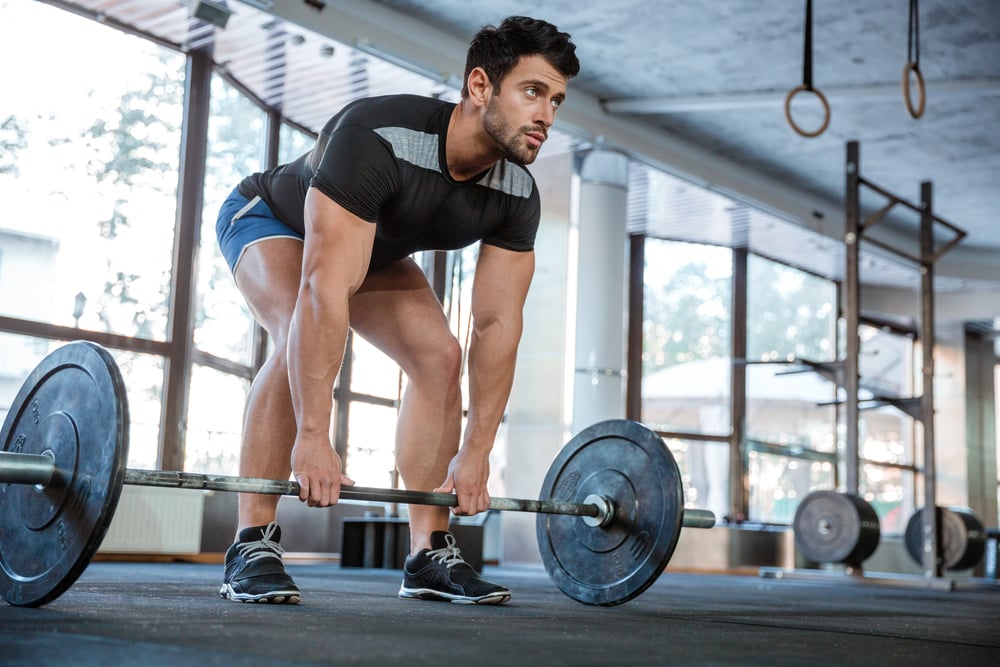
{"points": [[73, 408]]}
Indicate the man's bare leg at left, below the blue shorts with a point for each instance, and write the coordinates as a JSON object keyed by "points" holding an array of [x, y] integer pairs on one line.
{"points": [[268, 276]]}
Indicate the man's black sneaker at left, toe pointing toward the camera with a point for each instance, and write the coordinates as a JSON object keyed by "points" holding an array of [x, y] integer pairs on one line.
{"points": [[254, 571]]}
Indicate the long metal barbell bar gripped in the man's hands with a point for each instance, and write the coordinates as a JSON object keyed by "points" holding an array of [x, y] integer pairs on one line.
{"points": [[40, 469]]}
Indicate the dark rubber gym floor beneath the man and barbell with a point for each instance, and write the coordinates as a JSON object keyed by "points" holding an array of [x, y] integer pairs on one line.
{"points": [[170, 614]]}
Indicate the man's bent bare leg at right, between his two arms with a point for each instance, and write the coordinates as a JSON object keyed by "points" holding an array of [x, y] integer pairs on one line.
{"points": [[396, 311]]}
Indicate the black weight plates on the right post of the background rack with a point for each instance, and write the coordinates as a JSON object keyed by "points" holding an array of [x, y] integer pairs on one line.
{"points": [[961, 535]]}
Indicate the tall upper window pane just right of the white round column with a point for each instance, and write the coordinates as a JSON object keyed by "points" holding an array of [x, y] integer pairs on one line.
{"points": [[686, 337]]}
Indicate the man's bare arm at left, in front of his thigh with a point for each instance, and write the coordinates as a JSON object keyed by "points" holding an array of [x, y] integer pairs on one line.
{"points": [[336, 253]]}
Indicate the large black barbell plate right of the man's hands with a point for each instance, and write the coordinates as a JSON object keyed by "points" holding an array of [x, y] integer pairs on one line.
{"points": [[628, 463]]}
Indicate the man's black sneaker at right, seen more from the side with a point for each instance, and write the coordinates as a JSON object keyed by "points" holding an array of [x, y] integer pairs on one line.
{"points": [[440, 573]]}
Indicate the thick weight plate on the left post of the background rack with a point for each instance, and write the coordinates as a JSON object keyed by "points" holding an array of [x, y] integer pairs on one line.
{"points": [[832, 527]]}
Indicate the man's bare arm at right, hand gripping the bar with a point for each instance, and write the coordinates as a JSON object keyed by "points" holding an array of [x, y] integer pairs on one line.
{"points": [[498, 295]]}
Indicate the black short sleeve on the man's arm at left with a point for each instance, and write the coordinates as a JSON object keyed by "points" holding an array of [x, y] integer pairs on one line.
{"points": [[358, 171]]}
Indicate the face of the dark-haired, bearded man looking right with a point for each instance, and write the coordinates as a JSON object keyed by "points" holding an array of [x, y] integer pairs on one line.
{"points": [[519, 114]]}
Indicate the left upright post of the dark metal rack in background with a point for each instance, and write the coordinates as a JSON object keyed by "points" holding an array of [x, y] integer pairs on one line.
{"points": [[852, 316]]}
